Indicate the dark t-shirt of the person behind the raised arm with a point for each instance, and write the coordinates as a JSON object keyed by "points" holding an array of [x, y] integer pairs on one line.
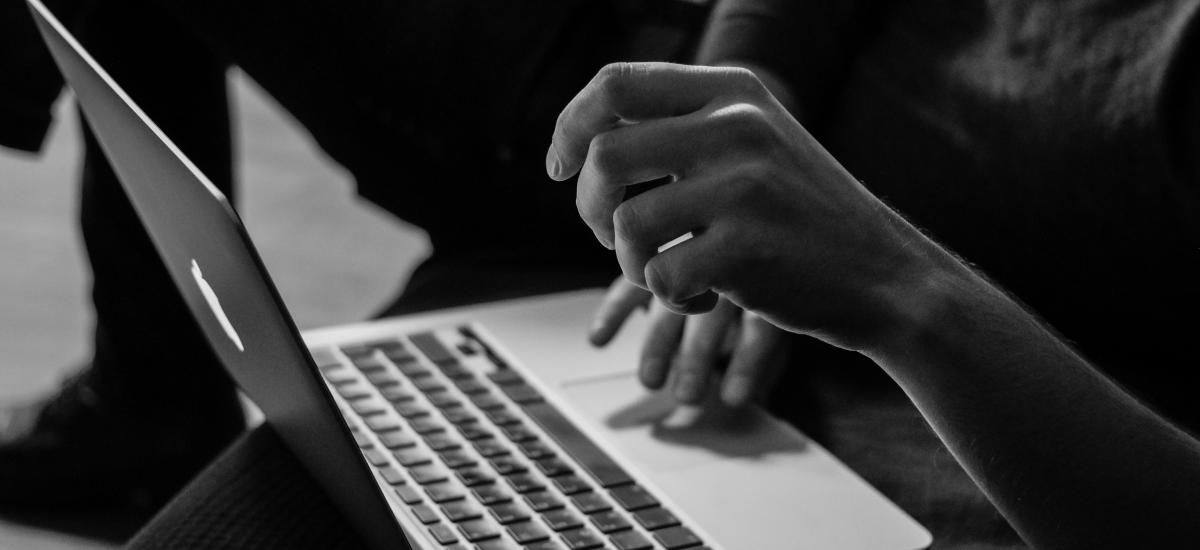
{"points": [[1046, 142]]}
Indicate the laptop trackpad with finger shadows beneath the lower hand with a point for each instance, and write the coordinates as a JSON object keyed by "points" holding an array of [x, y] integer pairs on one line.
{"points": [[661, 435]]}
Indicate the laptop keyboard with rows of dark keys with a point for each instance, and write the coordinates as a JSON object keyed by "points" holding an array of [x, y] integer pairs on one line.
{"points": [[482, 459]]}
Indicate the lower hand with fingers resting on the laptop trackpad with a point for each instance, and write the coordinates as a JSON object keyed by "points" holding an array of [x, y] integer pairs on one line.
{"points": [[739, 351]]}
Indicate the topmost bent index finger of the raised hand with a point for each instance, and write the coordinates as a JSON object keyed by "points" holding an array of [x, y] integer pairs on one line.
{"points": [[634, 93]]}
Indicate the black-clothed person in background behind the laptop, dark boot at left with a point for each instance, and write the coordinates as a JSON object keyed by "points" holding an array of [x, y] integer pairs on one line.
{"points": [[154, 406]]}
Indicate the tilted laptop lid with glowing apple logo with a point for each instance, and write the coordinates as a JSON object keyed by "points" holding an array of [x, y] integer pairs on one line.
{"points": [[220, 276]]}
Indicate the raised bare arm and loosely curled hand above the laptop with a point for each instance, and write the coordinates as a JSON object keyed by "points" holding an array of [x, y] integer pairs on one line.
{"points": [[778, 228]]}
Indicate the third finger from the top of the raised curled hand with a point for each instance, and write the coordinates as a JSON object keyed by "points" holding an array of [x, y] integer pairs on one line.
{"points": [[645, 224]]}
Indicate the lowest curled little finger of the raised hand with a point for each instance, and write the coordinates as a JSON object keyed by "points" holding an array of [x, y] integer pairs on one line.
{"points": [[686, 276]]}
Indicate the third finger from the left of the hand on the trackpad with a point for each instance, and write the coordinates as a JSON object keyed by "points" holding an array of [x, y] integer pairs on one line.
{"points": [[700, 351]]}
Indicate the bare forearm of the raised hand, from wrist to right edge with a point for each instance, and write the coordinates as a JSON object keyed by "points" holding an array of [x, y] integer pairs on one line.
{"points": [[1069, 457]]}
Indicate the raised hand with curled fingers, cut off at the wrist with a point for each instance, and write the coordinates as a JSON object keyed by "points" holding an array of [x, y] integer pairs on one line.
{"points": [[778, 226]]}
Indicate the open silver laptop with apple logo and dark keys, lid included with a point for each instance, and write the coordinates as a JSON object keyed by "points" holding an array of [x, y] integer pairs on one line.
{"points": [[493, 427]]}
